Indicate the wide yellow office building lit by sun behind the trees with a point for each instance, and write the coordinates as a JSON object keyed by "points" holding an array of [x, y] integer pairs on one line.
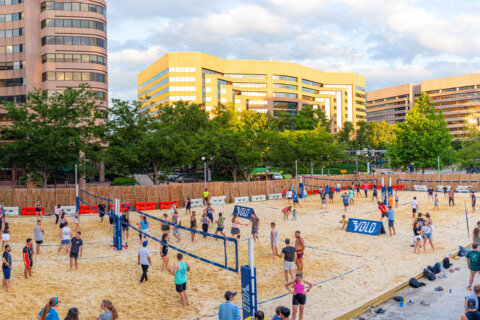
{"points": [[262, 86]]}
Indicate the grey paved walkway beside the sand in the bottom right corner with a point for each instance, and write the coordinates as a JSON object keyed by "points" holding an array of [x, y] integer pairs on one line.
{"points": [[444, 305]]}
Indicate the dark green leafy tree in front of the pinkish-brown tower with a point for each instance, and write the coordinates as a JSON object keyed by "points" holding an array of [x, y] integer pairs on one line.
{"points": [[53, 133]]}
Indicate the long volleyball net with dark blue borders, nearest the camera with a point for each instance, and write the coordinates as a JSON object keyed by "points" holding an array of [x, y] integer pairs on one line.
{"points": [[210, 248]]}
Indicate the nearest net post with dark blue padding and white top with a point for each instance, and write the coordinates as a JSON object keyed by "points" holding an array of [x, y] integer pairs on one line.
{"points": [[249, 284]]}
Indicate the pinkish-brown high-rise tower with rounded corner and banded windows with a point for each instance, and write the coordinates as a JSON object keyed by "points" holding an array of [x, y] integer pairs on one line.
{"points": [[51, 45]]}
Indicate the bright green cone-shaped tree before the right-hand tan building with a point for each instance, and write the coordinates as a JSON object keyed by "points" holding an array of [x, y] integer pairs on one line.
{"points": [[422, 137]]}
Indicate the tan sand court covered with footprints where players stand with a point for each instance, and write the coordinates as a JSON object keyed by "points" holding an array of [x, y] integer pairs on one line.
{"points": [[351, 268]]}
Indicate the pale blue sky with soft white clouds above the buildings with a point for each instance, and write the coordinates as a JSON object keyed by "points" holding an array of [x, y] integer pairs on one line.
{"points": [[390, 42]]}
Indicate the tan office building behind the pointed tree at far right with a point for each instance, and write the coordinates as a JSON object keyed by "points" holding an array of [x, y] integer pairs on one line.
{"points": [[458, 97]]}
